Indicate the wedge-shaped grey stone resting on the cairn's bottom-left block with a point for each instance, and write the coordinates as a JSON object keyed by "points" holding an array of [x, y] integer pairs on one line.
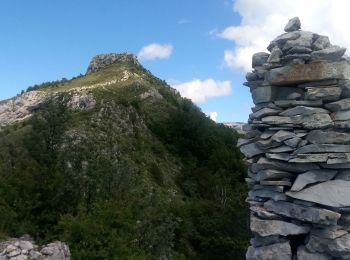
{"points": [[276, 227]]}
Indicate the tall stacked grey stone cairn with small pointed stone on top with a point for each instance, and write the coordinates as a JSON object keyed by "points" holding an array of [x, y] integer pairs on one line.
{"points": [[297, 147]]}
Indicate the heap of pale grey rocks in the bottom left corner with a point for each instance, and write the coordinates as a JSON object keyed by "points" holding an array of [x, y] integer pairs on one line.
{"points": [[25, 248]]}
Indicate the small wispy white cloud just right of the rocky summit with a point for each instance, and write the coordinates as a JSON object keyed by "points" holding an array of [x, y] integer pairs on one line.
{"points": [[155, 51]]}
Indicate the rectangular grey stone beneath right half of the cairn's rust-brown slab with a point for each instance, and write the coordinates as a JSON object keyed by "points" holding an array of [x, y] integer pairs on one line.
{"points": [[330, 93]]}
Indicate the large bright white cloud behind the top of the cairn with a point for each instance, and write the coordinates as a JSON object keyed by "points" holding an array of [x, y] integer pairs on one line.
{"points": [[263, 20]]}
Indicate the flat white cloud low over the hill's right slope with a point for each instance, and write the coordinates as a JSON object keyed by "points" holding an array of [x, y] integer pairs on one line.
{"points": [[200, 90]]}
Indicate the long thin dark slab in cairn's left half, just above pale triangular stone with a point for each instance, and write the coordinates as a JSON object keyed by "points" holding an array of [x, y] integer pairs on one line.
{"points": [[264, 163]]}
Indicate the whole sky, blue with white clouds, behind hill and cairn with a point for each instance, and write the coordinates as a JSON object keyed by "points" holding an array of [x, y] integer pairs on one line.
{"points": [[211, 41]]}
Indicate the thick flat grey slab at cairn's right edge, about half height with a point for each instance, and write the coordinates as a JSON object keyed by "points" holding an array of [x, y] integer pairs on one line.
{"points": [[327, 137]]}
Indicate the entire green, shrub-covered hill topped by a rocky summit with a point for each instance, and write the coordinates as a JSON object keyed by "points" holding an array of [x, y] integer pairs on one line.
{"points": [[119, 166]]}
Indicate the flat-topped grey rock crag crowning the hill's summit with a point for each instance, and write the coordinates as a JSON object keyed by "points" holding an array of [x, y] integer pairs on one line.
{"points": [[102, 60]]}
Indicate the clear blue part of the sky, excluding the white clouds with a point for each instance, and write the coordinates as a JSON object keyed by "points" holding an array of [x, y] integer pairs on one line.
{"points": [[46, 40]]}
